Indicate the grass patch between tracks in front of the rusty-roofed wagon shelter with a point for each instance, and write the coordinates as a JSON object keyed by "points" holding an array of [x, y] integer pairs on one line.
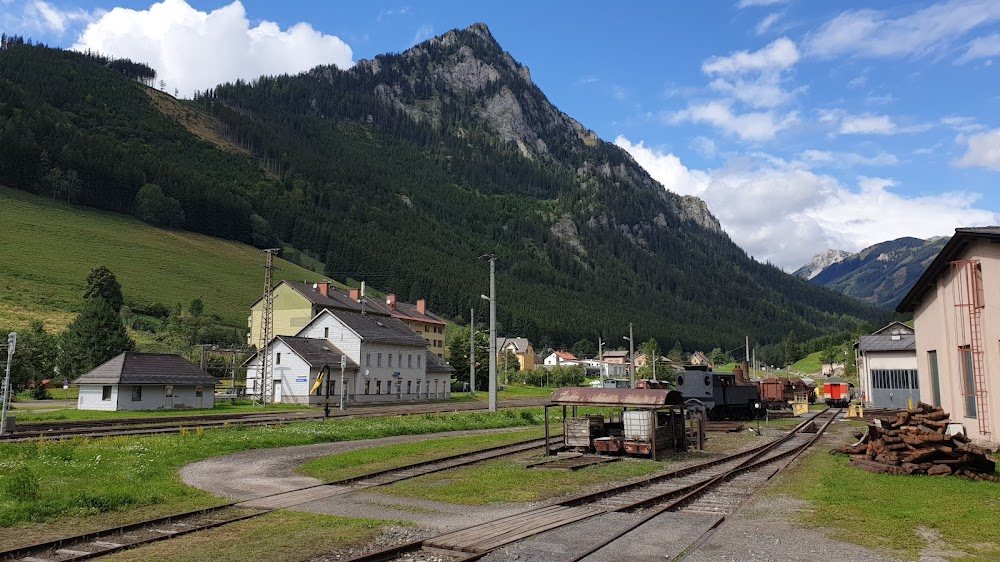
{"points": [[509, 481]]}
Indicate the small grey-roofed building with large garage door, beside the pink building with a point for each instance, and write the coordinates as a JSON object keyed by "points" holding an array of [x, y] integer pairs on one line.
{"points": [[887, 367]]}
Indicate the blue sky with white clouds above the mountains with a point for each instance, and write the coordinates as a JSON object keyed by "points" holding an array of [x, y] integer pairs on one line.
{"points": [[804, 125]]}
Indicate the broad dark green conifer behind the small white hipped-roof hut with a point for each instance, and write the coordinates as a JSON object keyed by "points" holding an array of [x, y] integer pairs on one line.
{"points": [[95, 336]]}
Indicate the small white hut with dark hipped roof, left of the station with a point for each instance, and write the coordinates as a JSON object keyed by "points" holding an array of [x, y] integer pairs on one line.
{"points": [[145, 381]]}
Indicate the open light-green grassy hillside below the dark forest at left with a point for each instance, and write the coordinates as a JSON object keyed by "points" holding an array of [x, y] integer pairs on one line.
{"points": [[48, 248]]}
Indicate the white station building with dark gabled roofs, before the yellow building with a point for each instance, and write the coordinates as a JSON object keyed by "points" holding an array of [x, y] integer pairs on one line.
{"points": [[386, 361]]}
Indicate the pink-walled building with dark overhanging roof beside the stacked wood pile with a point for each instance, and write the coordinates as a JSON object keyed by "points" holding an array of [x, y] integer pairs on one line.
{"points": [[956, 311]]}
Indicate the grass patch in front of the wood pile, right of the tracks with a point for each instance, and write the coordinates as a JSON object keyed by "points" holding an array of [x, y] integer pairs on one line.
{"points": [[888, 512]]}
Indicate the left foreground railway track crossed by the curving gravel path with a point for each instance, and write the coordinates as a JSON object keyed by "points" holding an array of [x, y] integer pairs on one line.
{"points": [[107, 541]]}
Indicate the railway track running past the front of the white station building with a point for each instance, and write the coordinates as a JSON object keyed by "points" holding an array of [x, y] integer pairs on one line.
{"points": [[153, 426]]}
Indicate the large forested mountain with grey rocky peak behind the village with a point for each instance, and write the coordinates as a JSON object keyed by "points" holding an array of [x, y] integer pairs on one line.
{"points": [[404, 170]]}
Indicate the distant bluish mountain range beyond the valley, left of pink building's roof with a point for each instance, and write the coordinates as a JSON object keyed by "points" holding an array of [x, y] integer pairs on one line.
{"points": [[881, 274]]}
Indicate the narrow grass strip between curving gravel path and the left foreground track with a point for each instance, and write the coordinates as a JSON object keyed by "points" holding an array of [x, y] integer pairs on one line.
{"points": [[356, 463]]}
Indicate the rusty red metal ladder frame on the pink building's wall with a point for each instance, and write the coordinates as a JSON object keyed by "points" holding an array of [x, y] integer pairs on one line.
{"points": [[967, 290]]}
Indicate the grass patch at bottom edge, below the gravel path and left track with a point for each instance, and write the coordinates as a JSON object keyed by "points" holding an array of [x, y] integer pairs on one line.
{"points": [[285, 536]]}
